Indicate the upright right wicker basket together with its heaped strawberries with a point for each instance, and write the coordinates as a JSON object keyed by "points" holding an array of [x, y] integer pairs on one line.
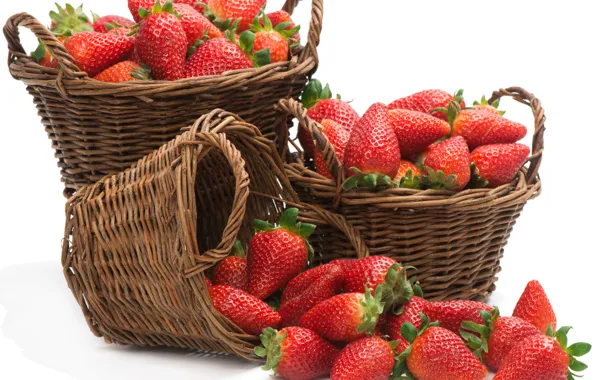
{"points": [[427, 180]]}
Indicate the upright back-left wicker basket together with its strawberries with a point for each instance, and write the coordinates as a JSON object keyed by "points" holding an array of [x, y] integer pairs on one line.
{"points": [[111, 89]]}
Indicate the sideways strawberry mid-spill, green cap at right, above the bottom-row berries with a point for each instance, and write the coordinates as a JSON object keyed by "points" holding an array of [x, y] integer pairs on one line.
{"points": [[345, 317]]}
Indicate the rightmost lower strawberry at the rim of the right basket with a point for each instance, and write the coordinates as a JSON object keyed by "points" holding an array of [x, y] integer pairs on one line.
{"points": [[499, 163]]}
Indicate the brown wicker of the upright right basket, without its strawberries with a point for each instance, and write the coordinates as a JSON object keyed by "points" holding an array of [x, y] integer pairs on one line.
{"points": [[455, 240]]}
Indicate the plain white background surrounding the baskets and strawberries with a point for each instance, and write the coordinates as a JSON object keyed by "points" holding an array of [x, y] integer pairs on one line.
{"points": [[377, 52]]}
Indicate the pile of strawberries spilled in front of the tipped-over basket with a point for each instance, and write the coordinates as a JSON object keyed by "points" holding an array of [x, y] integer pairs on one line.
{"points": [[327, 319]]}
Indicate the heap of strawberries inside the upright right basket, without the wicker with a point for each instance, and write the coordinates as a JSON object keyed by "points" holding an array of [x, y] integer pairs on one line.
{"points": [[428, 140]]}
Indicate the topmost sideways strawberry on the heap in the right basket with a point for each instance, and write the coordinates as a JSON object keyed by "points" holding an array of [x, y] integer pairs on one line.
{"points": [[428, 100]]}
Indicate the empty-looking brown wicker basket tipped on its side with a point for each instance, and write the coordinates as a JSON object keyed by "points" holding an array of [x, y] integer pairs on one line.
{"points": [[137, 244]]}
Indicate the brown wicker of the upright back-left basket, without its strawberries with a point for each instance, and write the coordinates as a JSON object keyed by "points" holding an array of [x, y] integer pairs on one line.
{"points": [[100, 128]]}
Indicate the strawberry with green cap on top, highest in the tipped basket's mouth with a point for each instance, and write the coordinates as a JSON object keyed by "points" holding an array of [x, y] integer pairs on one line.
{"points": [[277, 254]]}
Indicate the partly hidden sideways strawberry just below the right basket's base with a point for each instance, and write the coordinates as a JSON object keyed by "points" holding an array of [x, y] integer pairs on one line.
{"points": [[451, 314]]}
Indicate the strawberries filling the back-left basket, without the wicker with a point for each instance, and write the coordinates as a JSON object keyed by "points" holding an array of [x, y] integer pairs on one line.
{"points": [[172, 40]]}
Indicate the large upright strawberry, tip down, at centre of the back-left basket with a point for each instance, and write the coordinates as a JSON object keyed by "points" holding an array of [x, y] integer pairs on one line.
{"points": [[161, 42]]}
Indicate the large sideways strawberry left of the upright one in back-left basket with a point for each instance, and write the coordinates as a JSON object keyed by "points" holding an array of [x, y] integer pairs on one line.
{"points": [[95, 52]]}
